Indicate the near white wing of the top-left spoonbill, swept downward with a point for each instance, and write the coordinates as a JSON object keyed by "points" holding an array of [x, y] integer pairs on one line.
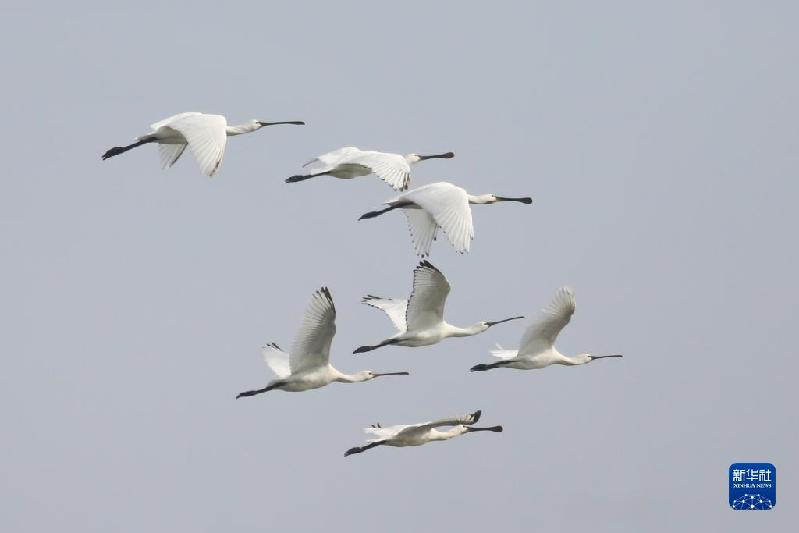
{"points": [[206, 135]]}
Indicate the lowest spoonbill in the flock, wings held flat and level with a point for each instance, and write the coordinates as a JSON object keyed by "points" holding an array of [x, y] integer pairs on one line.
{"points": [[418, 434]]}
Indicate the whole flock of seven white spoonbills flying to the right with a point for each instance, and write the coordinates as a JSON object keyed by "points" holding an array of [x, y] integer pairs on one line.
{"points": [[419, 319]]}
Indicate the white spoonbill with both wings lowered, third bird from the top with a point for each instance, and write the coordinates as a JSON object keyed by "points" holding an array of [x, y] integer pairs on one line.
{"points": [[440, 205]]}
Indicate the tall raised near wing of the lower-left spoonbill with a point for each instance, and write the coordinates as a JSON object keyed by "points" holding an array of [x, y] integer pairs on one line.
{"points": [[311, 347]]}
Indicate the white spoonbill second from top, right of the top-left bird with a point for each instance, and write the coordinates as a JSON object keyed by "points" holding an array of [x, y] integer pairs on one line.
{"points": [[351, 162]]}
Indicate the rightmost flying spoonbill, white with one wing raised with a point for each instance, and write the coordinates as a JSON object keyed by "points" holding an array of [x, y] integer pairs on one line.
{"points": [[538, 343]]}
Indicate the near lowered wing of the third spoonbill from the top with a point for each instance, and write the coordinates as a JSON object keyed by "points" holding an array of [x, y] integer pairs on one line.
{"points": [[448, 205]]}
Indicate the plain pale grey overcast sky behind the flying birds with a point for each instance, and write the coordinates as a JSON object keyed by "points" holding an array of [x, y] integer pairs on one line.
{"points": [[659, 141]]}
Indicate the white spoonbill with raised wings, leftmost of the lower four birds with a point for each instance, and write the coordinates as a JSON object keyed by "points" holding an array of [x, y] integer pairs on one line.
{"points": [[308, 366]]}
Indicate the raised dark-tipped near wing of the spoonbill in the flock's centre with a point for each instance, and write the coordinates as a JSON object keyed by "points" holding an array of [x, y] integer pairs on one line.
{"points": [[429, 295]]}
